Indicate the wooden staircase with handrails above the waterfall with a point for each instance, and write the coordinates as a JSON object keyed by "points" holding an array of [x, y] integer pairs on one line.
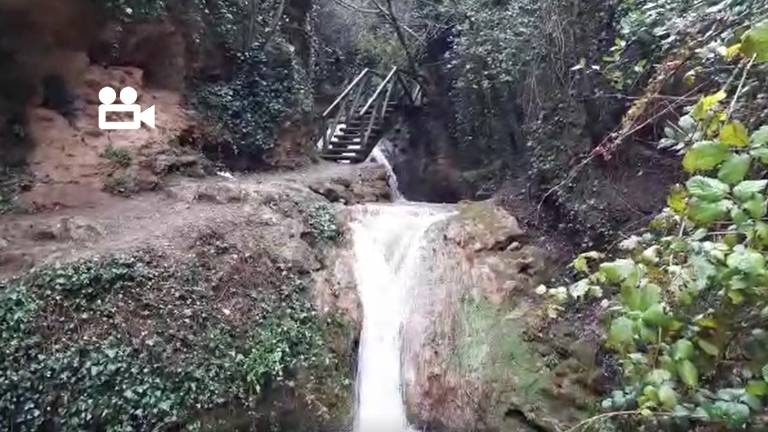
{"points": [[360, 116]]}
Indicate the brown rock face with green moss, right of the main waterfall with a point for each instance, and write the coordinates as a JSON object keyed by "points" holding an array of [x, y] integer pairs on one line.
{"points": [[473, 359]]}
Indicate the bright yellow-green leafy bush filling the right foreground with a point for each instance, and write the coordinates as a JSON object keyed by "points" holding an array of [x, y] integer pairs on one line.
{"points": [[684, 302]]}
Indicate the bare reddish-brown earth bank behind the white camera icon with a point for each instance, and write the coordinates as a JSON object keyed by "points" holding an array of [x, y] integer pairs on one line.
{"points": [[67, 158]]}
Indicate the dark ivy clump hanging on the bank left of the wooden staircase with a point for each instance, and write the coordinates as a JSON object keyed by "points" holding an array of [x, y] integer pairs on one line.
{"points": [[247, 111]]}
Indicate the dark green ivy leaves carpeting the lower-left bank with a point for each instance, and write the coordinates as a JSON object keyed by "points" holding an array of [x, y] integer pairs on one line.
{"points": [[65, 357]]}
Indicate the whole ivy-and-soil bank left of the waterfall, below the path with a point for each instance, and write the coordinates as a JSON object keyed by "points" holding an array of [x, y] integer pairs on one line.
{"points": [[227, 316]]}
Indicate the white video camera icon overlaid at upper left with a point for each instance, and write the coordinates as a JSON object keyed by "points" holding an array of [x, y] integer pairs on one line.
{"points": [[128, 98]]}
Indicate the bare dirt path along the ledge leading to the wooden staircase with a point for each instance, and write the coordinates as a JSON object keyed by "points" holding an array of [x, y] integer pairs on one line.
{"points": [[163, 218]]}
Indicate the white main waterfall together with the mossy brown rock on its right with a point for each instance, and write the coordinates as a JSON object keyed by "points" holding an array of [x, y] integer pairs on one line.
{"points": [[449, 324]]}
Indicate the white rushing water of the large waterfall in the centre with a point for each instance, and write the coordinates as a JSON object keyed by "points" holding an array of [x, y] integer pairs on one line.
{"points": [[389, 240]]}
